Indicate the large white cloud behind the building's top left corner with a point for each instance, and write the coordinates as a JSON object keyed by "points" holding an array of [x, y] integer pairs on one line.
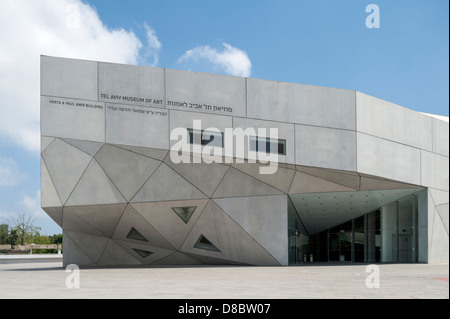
{"points": [[66, 28]]}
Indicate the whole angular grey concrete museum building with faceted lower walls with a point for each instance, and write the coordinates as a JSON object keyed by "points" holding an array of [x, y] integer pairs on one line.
{"points": [[356, 178]]}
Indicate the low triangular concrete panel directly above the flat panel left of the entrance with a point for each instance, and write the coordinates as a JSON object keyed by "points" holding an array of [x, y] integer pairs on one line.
{"points": [[236, 183]]}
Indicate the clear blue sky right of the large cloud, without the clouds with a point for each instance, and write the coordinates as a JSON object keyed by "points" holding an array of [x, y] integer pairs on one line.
{"points": [[323, 42]]}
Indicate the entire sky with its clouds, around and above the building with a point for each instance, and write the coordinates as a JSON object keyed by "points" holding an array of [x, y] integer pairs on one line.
{"points": [[320, 42]]}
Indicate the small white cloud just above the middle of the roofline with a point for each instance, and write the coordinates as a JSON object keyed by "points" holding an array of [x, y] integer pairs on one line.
{"points": [[232, 60]]}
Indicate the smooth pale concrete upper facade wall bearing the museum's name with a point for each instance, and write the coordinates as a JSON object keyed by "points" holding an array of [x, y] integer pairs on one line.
{"points": [[323, 127]]}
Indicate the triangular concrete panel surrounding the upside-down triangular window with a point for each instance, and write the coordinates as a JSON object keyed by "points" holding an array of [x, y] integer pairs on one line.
{"points": [[161, 216]]}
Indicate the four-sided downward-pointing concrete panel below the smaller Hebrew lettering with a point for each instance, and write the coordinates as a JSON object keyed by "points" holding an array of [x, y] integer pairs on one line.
{"points": [[127, 170]]}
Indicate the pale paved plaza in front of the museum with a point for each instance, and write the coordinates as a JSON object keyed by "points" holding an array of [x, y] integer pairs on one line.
{"points": [[49, 280]]}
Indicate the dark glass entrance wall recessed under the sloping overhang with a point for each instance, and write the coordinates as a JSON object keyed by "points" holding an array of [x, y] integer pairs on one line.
{"points": [[389, 234]]}
